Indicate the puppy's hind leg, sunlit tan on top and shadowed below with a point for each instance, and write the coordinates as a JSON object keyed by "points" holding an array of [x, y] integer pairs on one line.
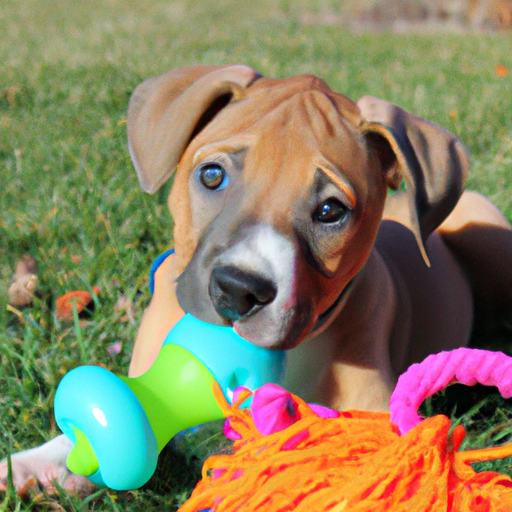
{"points": [[480, 237]]}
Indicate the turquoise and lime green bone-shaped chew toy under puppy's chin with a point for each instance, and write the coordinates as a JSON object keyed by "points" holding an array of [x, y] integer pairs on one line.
{"points": [[119, 425]]}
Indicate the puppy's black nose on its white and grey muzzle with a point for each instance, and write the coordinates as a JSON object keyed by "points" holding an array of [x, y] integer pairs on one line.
{"points": [[236, 293]]}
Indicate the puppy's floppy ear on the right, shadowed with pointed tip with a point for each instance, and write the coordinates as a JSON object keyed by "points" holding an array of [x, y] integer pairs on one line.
{"points": [[432, 162]]}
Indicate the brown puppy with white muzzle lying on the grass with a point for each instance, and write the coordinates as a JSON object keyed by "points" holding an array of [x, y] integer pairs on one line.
{"points": [[283, 229]]}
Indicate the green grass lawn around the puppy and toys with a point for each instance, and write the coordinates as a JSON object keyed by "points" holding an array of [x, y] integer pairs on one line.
{"points": [[69, 195]]}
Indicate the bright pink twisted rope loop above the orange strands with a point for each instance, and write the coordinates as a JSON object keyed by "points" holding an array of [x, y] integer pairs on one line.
{"points": [[467, 366]]}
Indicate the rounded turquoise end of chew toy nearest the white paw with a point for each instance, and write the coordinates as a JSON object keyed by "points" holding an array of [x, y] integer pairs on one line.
{"points": [[98, 403]]}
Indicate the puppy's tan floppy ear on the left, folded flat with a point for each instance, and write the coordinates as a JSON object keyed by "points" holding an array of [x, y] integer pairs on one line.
{"points": [[167, 111]]}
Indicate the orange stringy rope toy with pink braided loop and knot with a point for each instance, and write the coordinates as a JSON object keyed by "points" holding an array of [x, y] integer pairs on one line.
{"points": [[293, 456]]}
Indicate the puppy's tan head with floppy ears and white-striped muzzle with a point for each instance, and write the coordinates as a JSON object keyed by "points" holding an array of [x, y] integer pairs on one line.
{"points": [[280, 189]]}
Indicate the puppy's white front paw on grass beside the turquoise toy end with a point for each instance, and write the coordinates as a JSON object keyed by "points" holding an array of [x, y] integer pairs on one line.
{"points": [[42, 468]]}
